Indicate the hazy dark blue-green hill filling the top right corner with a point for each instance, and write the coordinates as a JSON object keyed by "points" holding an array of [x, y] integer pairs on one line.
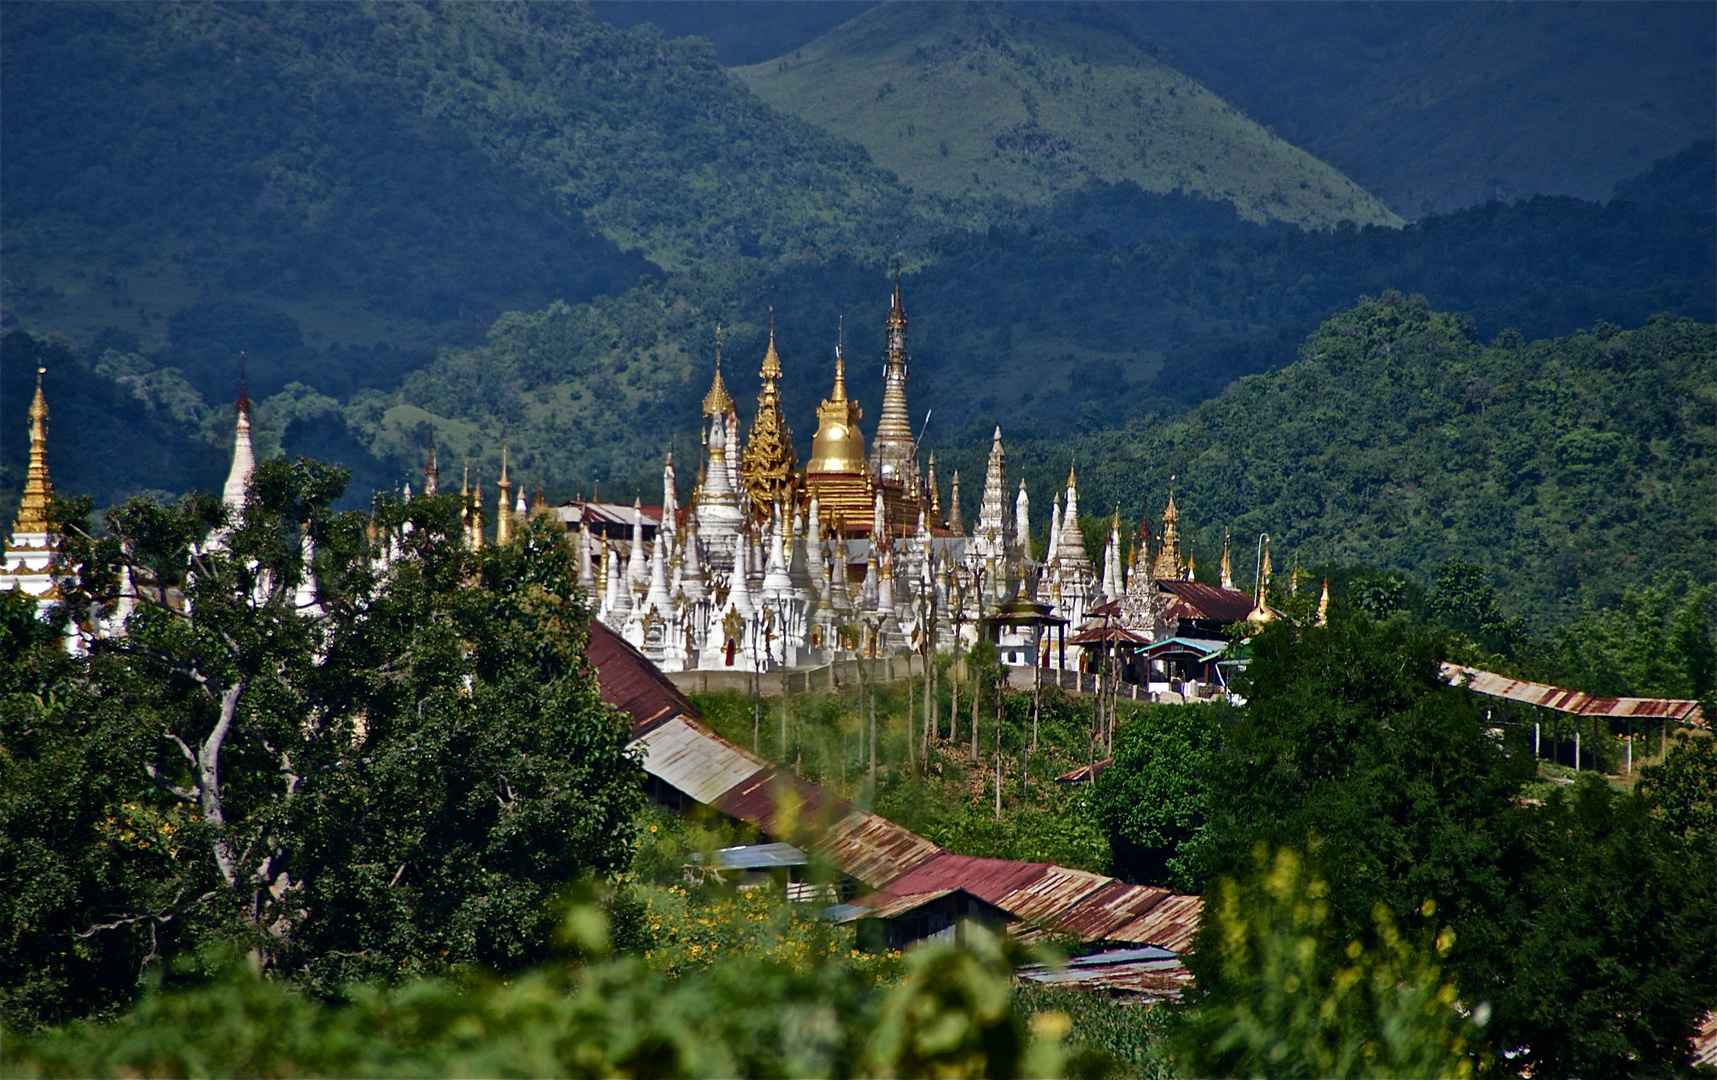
{"points": [[1438, 106]]}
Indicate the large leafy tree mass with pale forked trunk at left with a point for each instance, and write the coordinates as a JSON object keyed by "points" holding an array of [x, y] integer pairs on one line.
{"points": [[387, 770]]}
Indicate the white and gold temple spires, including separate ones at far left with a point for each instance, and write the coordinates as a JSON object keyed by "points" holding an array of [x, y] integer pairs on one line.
{"points": [[770, 566]]}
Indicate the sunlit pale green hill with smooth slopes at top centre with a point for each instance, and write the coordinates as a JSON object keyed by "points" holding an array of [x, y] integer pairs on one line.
{"points": [[968, 100]]}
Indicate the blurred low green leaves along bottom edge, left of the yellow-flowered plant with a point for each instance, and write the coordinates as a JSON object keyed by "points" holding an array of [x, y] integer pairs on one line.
{"points": [[949, 1014]]}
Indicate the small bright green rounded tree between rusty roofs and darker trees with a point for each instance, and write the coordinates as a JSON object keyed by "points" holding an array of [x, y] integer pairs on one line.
{"points": [[1153, 801]]}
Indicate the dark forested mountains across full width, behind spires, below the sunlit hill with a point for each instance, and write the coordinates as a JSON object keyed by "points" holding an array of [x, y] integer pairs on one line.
{"points": [[482, 221]]}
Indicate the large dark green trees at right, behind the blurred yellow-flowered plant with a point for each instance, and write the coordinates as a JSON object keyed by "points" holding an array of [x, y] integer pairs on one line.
{"points": [[1397, 789]]}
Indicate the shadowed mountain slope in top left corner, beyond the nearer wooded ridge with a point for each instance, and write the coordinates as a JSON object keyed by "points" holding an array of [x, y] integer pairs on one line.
{"points": [[389, 173]]}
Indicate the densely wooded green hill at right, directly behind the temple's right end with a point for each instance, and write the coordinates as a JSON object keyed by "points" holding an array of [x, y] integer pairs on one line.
{"points": [[1570, 468]]}
